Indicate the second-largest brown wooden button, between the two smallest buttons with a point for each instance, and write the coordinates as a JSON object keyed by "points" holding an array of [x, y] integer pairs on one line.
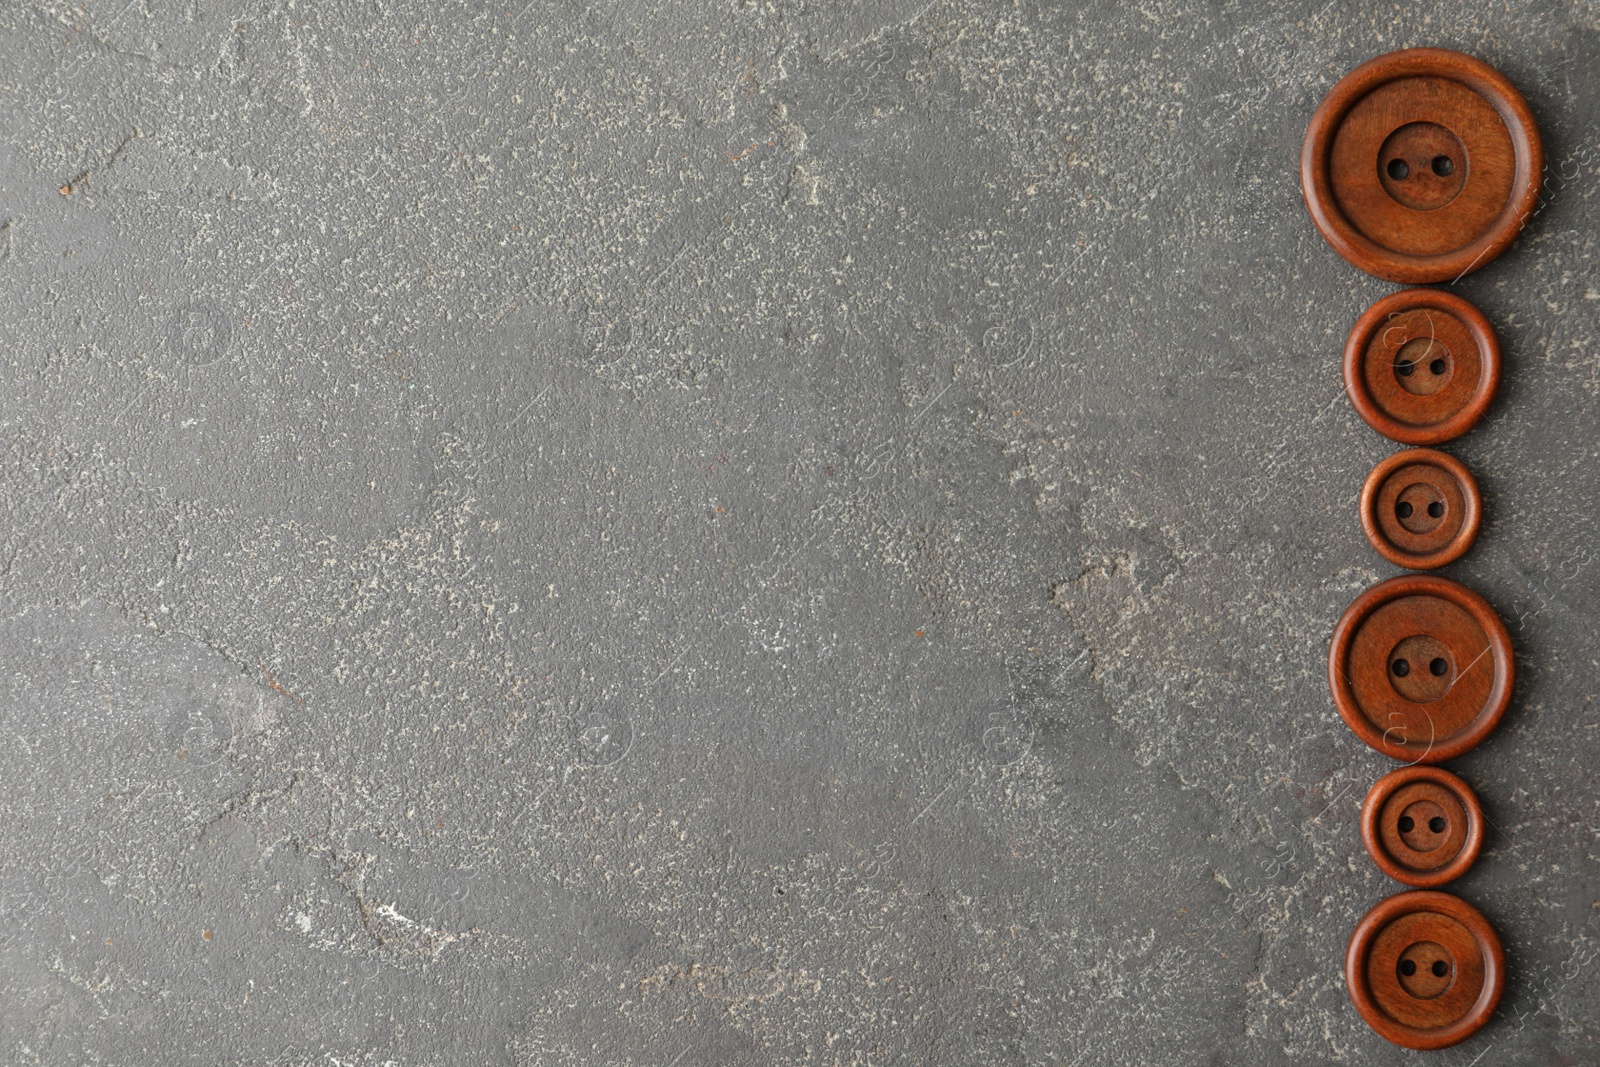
{"points": [[1422, 668]]}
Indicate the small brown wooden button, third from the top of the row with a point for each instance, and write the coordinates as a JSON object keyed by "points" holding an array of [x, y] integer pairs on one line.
{"points": [[1422, 510]]}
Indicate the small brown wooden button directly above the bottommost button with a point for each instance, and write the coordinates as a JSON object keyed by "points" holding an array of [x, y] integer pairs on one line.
{"points": [[1423, 826]]}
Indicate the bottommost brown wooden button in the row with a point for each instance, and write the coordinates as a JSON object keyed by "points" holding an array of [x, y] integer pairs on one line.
{"points": [[1425, 969]]}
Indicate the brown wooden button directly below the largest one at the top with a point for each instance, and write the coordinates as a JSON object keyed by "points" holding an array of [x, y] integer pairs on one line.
{"points": [[1422, 367]]}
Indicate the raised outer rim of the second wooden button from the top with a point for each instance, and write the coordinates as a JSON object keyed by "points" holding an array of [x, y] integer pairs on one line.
{"points": [[1414, 300]]}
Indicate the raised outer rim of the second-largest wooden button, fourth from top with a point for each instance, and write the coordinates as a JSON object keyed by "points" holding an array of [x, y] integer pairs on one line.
{"points": [[1470, 602]]}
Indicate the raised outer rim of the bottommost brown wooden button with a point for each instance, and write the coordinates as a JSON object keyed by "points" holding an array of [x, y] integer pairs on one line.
{"points": [[1399, 906]]}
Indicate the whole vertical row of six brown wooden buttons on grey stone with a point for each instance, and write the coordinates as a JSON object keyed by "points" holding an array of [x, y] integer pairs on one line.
{"points": [[1422, 167]]}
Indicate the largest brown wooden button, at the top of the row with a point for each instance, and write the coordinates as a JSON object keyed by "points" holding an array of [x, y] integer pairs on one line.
{"points": [[1422, 166]]}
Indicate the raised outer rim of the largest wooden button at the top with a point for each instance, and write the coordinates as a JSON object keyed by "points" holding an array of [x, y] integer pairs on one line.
{"points": [[1362, 252]]}
